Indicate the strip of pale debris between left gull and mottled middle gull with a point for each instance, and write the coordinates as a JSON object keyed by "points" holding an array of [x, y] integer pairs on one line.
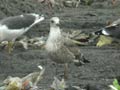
{"points": [[25, 42]]}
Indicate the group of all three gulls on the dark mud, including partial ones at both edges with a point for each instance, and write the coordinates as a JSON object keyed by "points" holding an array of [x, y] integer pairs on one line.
{"points": [[13, 27]]}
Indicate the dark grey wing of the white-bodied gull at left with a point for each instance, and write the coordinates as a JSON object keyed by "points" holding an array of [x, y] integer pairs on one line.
{"points": [[18, 22]]}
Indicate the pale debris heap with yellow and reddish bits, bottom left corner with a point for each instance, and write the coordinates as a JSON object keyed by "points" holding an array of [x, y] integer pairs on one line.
{"points": [[28, 82]]}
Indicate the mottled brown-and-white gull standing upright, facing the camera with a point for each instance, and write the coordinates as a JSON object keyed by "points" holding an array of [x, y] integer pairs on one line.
{"points": [[56, 48]]}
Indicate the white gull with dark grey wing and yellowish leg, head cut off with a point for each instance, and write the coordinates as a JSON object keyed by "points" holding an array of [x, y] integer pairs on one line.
{"points": [[13, 27]]}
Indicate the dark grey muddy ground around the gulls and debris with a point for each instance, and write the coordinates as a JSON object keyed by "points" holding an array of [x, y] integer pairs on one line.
{"points": [[104, 62]]}
